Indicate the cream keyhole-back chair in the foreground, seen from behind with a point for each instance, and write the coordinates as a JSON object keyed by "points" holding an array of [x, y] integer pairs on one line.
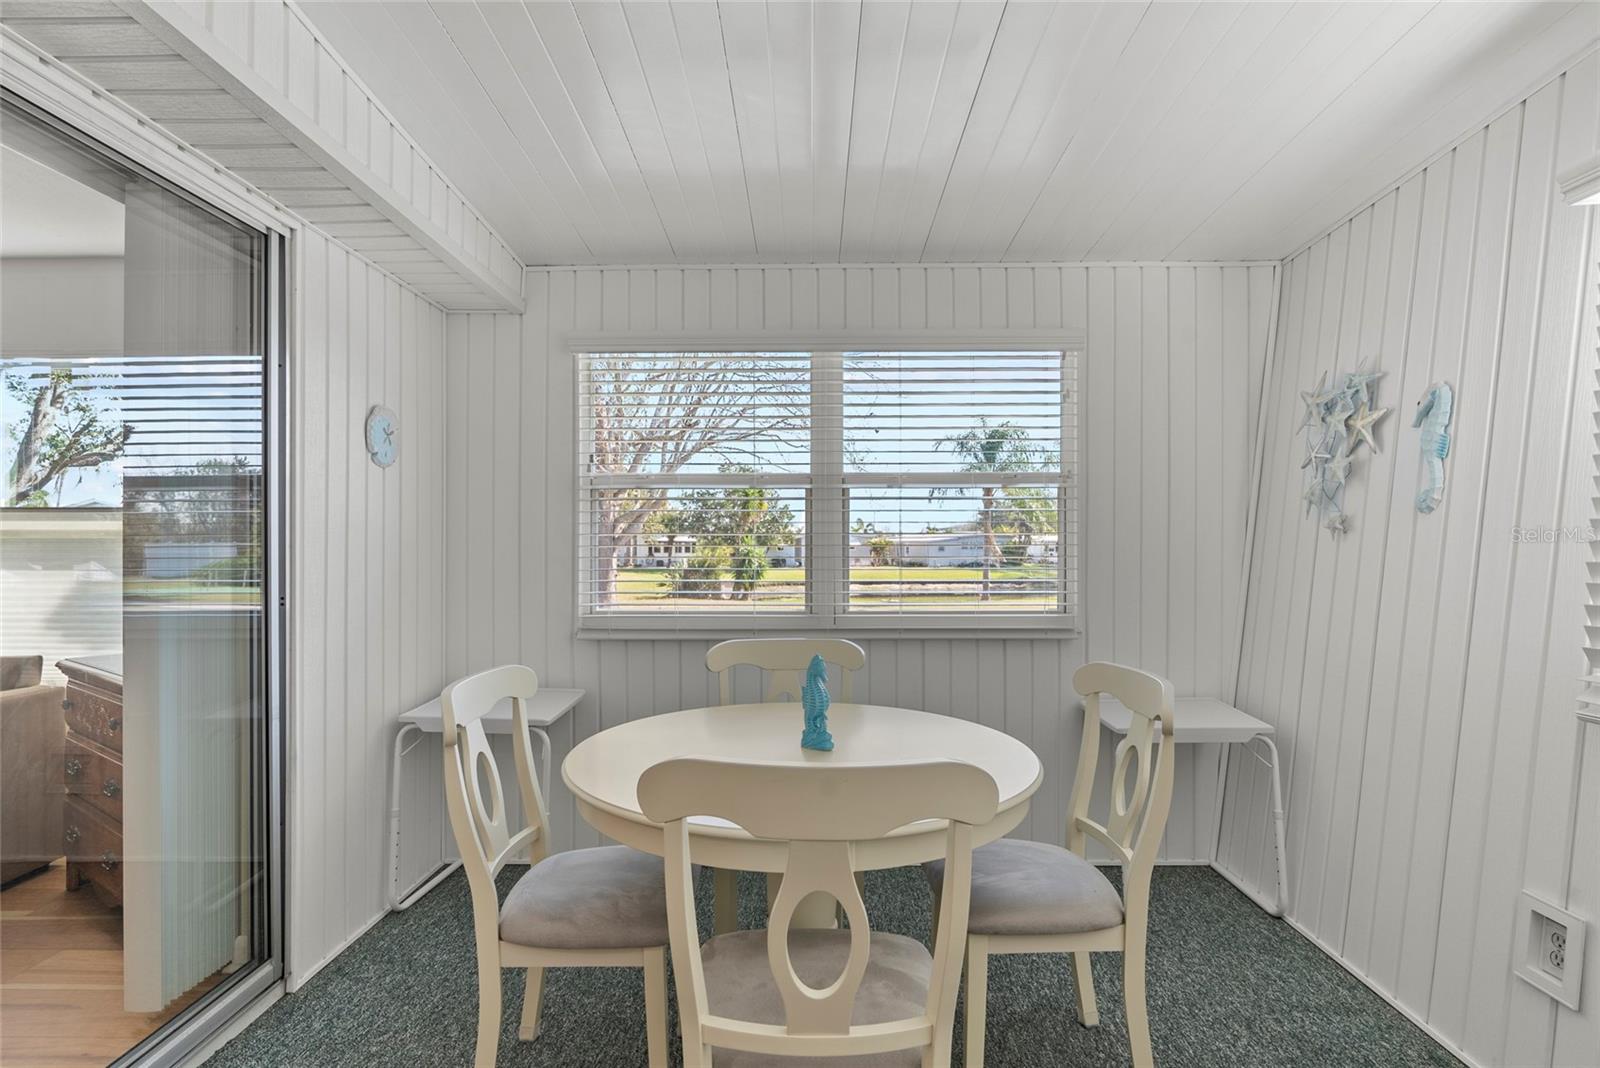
{"points": [[846, 998]]}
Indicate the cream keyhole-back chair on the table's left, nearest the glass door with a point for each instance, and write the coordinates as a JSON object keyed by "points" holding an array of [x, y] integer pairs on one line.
{"points": [[578, 909]]}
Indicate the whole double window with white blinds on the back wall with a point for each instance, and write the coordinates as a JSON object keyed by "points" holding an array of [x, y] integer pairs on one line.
{"points": [[857, 490]]}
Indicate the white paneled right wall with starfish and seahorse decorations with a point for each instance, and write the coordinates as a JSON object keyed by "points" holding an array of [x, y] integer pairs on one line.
{"points": [[1423, 669]]}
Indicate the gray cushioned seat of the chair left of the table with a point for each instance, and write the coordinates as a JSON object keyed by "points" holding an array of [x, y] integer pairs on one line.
{"points": [[612, 898]]}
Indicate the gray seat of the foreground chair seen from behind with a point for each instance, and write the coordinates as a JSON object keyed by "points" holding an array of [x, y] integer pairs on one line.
{"points": [[740, 984]]}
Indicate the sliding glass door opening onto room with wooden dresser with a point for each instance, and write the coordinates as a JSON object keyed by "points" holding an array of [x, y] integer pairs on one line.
{"points": [[137, 621]]}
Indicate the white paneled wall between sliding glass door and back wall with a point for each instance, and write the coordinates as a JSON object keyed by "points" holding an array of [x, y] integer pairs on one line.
{"points": [[367, 591]]}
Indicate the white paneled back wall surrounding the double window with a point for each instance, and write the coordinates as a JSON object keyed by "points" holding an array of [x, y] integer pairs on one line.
{"points": [[1170, 386]]}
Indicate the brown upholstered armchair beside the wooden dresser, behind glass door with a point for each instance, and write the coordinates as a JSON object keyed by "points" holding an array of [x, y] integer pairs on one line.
{"points": [[33, 738]]}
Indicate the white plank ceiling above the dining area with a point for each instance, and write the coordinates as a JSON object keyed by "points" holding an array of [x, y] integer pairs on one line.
{"points": [[692, 132]]}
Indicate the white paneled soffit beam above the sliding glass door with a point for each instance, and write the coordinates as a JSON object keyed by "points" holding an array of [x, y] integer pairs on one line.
{"points": [[260, 94]]}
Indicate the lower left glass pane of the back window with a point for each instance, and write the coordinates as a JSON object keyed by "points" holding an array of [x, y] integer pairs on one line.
{"points": [[700, 549]]}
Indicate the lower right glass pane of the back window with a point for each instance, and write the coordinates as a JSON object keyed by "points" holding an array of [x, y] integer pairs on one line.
{"points": [[954, 549]]}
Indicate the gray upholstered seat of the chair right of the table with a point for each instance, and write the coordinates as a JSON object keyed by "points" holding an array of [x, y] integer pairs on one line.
{"points": [[1034, 888]]}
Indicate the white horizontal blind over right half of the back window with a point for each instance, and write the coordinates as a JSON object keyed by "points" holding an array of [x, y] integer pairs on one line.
{"points": [[956, 484]]}
